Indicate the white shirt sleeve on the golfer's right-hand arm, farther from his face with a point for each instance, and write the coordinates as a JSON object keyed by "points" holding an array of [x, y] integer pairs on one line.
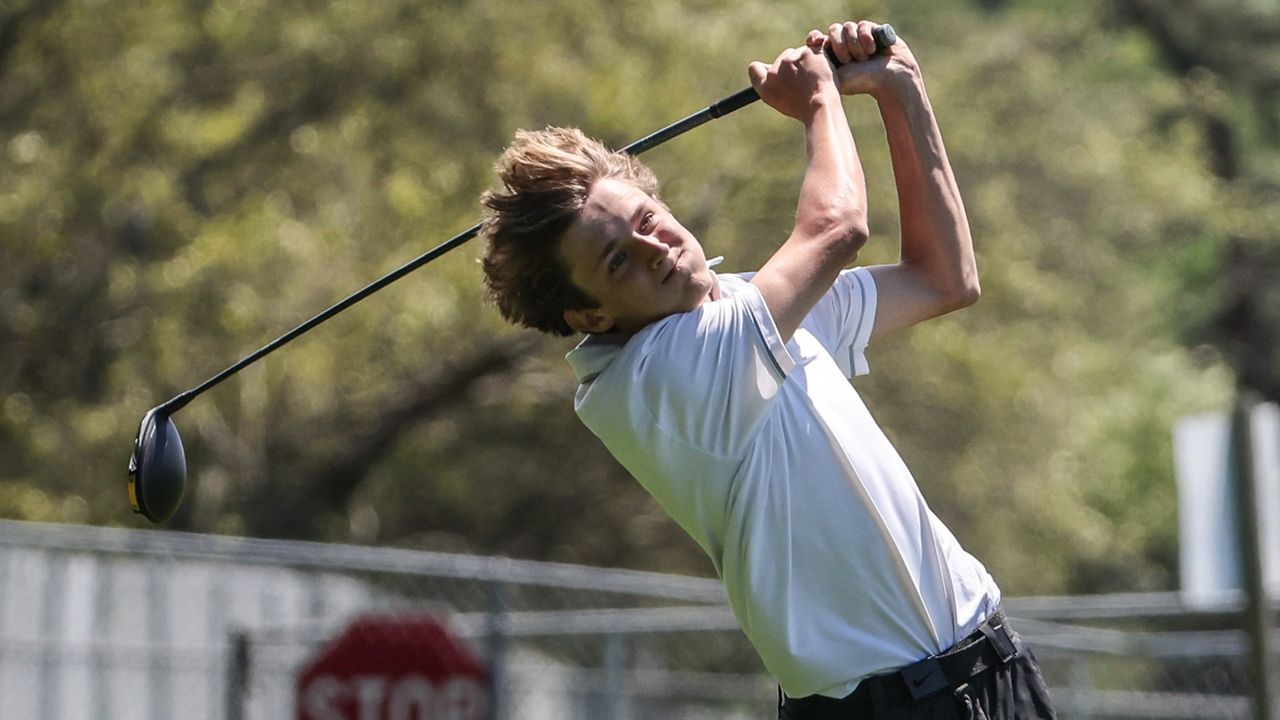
{"points": [[844, 318]]}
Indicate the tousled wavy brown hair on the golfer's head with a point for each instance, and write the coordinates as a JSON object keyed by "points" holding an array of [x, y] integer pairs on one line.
{"points": [[546, 179]]}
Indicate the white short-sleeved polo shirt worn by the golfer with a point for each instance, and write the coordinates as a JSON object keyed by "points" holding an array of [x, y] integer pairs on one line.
{"points": [[765, 454]]}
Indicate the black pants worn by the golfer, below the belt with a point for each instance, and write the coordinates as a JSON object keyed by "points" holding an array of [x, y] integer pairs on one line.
{"points": [[1002, 689]]}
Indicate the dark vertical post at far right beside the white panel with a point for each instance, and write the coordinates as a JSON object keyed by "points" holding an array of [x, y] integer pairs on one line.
{"points": [[1256, 619]]}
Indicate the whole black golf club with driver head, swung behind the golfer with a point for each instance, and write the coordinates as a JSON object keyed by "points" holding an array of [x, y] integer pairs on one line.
{"points": [[158, 468]]}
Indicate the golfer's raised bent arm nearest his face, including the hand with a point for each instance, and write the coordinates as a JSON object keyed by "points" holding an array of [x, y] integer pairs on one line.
{"points": [[831, 215]]}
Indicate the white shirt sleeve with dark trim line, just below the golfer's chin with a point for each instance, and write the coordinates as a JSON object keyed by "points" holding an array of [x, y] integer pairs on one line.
{"points": [[710, 377]]}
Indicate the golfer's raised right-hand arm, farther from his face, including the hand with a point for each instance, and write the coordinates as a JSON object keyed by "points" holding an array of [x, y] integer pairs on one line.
{"points": [[936, 272]]}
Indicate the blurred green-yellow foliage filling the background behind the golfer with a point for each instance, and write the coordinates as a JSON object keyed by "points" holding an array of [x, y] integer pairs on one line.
{"points": [[184, 181]]}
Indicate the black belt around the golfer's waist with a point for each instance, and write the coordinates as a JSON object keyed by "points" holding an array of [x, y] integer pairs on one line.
{"points": [[991, 645]]}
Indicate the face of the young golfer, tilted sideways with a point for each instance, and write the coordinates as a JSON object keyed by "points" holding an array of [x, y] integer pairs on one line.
{"points": [[628, 252]]}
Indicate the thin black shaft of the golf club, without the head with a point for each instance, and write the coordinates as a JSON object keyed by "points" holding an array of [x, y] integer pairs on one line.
{"points": [[717, 110]]}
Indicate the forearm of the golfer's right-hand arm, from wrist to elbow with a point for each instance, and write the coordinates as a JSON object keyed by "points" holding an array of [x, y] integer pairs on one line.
{"points": [[936, 243]]}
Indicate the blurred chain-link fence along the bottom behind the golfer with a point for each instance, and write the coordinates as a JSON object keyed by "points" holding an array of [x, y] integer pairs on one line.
{"points": [[124, 625]]}
